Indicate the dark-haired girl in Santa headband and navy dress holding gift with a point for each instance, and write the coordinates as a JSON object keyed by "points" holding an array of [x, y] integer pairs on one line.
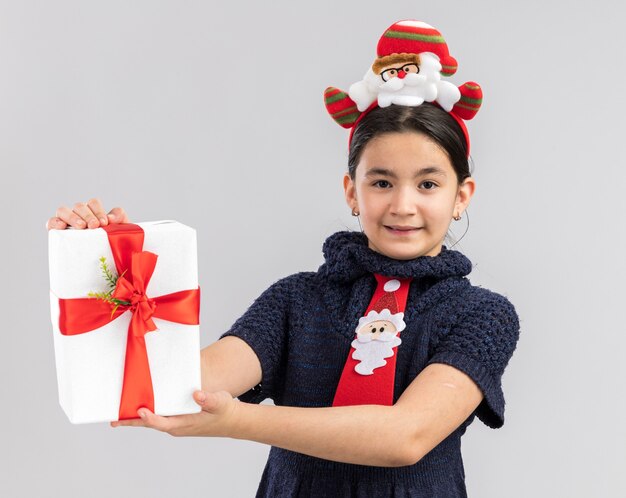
{"points": [[378, 361]]}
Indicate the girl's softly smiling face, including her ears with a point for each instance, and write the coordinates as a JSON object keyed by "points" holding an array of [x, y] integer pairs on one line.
{"points": [[407, 193]]}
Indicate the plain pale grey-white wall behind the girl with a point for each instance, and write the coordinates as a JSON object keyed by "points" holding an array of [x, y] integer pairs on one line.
{"points": [[212, 114]]}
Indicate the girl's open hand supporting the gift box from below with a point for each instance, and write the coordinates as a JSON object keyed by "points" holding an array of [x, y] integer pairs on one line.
{"points": [[217, 418]]}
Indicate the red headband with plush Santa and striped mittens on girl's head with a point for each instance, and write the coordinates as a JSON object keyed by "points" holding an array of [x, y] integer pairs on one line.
{"points": [[412, 58]]}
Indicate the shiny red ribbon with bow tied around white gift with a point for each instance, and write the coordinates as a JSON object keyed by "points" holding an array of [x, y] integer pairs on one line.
{"points": [[135, 267]]}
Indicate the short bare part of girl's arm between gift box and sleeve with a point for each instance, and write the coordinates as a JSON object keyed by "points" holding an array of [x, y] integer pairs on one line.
{"points": [[230, 364]]}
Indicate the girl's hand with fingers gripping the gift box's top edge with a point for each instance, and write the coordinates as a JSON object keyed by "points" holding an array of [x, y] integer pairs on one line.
{"points": [[89, 215]]}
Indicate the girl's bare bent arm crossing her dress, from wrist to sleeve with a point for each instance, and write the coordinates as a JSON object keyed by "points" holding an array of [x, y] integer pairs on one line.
{"points": [[432, 407]]}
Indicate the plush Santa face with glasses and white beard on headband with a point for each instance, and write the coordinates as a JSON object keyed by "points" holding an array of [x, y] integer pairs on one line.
{"points": [[405, 79]]}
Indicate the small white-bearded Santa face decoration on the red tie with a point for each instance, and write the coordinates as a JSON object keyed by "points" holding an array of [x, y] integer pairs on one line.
{"points": [[377, 335]]}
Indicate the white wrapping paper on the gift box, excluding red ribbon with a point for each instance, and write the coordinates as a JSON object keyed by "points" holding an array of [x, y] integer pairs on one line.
{"points": [[90, 366]]}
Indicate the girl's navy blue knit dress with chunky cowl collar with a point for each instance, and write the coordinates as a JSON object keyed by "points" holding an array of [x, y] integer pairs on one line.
{"points": [[301, 329]]}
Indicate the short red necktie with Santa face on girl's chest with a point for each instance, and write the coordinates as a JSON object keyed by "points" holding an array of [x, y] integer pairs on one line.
{"points": [[369, 373]]}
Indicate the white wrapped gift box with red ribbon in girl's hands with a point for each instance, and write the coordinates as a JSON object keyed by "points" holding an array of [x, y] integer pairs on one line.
{"points": [[109, 362]]}
